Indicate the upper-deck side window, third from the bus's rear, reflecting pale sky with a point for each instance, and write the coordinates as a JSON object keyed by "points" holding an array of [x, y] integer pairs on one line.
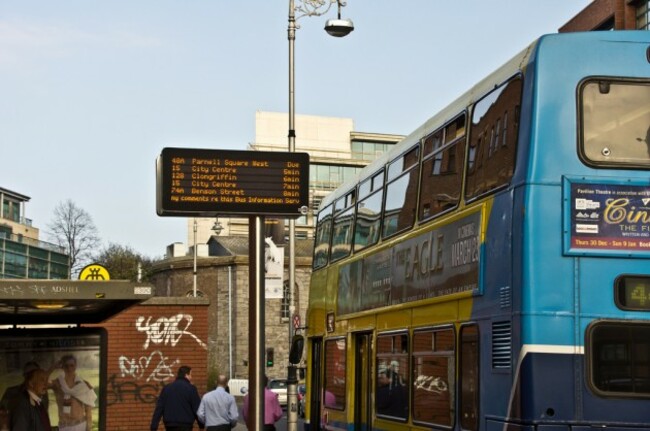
{"points": [[401, 193]]}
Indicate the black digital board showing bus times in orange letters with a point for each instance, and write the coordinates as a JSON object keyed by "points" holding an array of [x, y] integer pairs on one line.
{"points": [[201, 182]]}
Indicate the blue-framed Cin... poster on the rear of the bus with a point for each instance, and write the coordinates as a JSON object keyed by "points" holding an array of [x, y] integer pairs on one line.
{"points": [[606, 218]]}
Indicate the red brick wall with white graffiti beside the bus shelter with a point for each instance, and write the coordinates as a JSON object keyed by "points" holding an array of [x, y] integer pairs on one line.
{"points": [[146, 345]]}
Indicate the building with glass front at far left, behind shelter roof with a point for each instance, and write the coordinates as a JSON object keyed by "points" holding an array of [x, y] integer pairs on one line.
{"points": [[22, 253]]}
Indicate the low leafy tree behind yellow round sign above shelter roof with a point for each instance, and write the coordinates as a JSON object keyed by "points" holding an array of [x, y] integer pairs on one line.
{"points": [[122, 262]]}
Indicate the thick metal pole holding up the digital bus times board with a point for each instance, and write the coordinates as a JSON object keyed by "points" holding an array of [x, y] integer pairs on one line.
{"points": [[256, 323]]}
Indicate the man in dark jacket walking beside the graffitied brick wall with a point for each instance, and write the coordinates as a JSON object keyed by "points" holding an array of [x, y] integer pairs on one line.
{"points": [[177, 404]]}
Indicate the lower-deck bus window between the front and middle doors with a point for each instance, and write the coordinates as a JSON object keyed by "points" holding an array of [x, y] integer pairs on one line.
{"points": [[334, 387]]}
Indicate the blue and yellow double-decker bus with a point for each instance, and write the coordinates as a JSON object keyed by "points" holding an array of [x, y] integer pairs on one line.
{"points": [[492, 271]]}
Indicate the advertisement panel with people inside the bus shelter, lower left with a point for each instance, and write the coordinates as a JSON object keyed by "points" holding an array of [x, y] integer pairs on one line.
{"points": [[55, 371]]}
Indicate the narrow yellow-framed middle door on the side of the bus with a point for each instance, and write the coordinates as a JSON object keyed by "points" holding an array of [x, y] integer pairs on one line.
{"points": [[362, 378]]}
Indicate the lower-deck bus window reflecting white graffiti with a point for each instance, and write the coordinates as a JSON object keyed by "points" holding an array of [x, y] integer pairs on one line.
{"points": [[433, 377]]}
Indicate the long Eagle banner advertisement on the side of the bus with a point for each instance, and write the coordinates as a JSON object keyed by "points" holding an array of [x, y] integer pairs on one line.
{"points": [[439, 262]]}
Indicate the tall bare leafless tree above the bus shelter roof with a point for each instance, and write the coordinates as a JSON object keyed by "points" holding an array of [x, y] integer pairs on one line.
{"points": [[73, 229]]}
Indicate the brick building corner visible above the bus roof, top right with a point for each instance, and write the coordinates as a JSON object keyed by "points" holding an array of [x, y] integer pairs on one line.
{"points": [[610, 15]]}
